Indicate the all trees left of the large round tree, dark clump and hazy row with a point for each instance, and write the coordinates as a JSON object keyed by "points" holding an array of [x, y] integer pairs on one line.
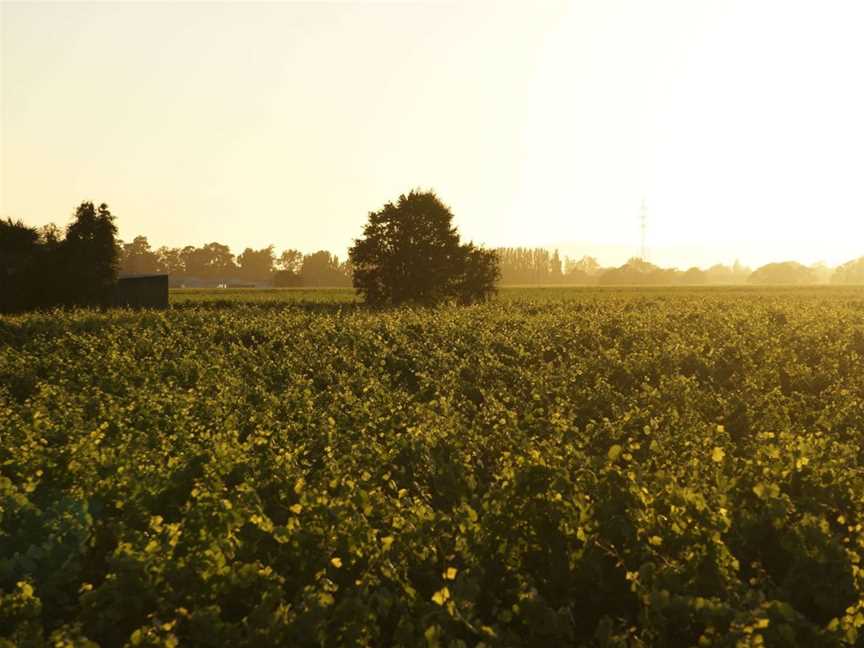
{"points": [[79, 265]]}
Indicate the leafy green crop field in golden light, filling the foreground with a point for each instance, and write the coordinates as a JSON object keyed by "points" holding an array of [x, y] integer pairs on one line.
{"points": [[560, 467]]}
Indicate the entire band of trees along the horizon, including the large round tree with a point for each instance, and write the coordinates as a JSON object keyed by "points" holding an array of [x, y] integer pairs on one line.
{"points": [[410, 251]]}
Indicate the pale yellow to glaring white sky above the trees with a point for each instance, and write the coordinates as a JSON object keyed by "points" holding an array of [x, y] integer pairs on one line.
{"points": [[741, 123]]}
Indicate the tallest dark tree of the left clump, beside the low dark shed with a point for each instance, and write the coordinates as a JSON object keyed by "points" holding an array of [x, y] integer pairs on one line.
{"points": [[90, 256]]}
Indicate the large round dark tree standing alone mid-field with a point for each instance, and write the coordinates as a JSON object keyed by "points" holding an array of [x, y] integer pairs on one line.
{"points": [[410, 253]]}
